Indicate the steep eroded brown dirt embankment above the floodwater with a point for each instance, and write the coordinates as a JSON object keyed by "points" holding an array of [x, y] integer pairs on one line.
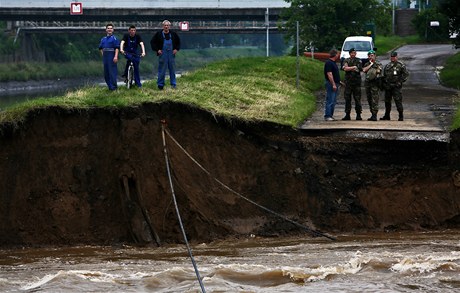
{"points": [[98, 177]]}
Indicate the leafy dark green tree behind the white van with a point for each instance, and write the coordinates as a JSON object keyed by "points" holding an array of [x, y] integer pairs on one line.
{"points": [[327, 23]]}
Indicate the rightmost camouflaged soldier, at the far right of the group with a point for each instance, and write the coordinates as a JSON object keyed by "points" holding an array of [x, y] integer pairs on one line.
{"points": [[395, 74]]}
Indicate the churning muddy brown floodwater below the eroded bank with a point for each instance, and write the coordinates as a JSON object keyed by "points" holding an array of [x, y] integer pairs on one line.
{"points": [[382, 262]]}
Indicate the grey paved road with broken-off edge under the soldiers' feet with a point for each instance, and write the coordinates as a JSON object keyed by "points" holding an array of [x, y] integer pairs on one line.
{"points": [[428, 106]]}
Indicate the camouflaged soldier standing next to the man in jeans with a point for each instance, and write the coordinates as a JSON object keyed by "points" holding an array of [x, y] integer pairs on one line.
{"points": [[352, 67]]}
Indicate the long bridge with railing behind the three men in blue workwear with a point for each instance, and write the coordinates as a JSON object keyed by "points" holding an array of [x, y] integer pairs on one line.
{"points": [[209, 20]]}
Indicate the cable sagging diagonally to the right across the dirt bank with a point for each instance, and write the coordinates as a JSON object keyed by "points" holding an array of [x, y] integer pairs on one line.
{"points": [[311, 231]]}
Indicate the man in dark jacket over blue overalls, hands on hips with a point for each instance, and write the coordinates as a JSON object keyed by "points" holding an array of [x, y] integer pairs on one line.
{"points": [[166, 43]]}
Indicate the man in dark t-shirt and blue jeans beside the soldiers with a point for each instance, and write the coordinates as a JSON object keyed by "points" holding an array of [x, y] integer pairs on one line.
{"points": [[332, 82]]}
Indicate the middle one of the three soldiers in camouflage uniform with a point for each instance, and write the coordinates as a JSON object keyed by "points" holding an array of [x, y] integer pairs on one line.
{"points": [[373, 70]]}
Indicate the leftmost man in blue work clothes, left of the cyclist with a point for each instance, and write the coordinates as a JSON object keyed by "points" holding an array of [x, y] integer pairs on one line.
{"points": [[109, 47]]}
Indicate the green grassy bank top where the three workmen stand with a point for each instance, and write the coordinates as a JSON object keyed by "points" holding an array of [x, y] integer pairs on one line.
{"points": [[256, 88]]}
